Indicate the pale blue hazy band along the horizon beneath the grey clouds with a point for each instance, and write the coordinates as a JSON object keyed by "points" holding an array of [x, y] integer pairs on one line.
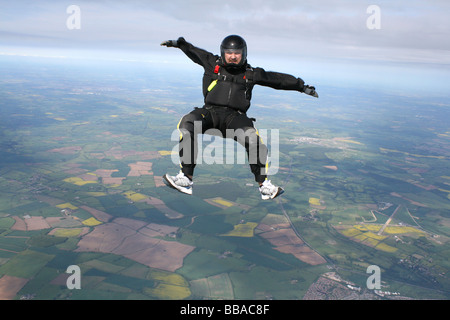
{"points": [[389, 77]]}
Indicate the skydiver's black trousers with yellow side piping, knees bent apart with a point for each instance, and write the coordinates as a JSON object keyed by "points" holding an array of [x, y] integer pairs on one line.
{"points": [[228, 123]]}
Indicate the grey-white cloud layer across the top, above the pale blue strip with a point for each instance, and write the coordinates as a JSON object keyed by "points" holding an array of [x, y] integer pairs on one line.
{"points": [[410, 30]]}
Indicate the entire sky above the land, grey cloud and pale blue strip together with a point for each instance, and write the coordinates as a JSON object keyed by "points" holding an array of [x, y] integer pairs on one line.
{"points": [[396, 43]]}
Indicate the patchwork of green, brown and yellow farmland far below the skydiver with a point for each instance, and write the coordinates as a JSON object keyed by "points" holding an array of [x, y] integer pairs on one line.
{"points": [[84, 146]]}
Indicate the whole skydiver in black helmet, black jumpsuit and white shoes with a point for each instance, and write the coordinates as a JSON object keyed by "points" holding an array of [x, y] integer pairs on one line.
{"points": [[228, 82]]}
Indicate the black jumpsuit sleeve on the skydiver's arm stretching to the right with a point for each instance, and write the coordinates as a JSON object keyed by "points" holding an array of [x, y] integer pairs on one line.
{"points": [[277, 80]]}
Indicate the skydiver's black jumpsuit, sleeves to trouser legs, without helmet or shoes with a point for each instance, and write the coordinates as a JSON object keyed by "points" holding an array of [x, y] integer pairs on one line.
{"points": [[227, 93]]}
